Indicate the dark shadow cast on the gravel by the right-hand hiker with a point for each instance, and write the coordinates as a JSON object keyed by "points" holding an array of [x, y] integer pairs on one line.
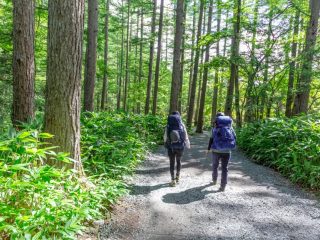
{"points": [[187, 196]]}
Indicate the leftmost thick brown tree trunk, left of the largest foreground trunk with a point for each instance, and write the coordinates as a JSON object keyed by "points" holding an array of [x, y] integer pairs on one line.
{"points": [[23, 61]]}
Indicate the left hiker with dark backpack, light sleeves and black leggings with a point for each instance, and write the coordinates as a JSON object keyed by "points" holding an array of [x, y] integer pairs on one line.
{"points": [[175, 140]]}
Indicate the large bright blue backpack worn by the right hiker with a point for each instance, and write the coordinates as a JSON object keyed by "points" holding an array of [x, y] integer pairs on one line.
{"points": [[224, 138]]}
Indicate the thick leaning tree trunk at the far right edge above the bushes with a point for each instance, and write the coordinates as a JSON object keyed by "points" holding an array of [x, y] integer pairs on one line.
{"points": [[303, 91]]}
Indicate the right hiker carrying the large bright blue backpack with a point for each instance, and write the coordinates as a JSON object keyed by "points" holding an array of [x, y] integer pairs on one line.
{"points": [[222, 141]]}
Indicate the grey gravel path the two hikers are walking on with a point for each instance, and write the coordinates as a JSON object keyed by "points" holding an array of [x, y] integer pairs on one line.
{"points": [[258, 203]]}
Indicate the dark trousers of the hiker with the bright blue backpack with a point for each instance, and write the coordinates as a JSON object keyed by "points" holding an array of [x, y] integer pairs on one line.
{"points": [[225, 158]]}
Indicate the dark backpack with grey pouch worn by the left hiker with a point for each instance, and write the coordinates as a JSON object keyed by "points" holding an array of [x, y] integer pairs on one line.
{"points": [[175, 133]]}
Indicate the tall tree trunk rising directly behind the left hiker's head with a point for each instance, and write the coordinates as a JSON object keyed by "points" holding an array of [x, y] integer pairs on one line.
{"points": [[176, 68]]}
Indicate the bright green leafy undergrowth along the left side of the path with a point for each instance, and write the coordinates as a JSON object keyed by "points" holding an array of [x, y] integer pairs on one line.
{"points": [[39, 201]]}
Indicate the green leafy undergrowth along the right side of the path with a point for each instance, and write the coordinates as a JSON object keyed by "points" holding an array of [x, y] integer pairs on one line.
{"points": [[291, 146]]}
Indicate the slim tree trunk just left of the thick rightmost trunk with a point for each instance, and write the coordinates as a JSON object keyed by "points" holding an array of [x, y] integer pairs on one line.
{"points": [[292, 65]]}
